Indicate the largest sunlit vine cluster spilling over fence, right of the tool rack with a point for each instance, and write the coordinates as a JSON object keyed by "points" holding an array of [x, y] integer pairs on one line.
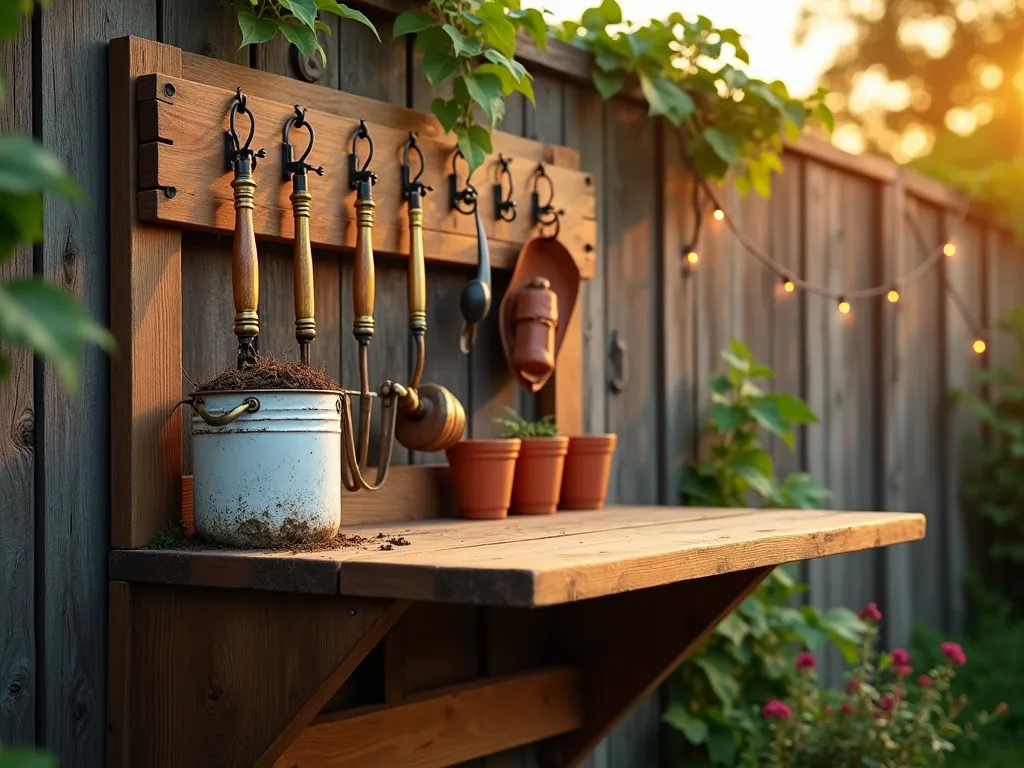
{"points": [[727, 120]]}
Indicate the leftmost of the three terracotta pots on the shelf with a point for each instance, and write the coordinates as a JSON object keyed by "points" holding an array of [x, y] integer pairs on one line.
{"points": [[482, 478]]}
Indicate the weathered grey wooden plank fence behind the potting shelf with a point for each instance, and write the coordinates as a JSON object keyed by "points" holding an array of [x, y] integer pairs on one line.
{"points": [[879, 378]]}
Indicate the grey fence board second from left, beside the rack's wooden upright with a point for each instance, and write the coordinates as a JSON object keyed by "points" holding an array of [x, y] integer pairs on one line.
{"points": [[75, 429]]}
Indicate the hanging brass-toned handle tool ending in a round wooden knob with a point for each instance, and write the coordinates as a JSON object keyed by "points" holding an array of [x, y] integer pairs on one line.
{"points": [[431, 418]]}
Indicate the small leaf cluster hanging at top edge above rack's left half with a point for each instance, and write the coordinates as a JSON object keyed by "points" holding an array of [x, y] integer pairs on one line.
{"points": [[298, 21]]}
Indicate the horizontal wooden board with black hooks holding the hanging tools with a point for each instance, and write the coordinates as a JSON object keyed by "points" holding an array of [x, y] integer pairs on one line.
{"points": [[182, 146]]}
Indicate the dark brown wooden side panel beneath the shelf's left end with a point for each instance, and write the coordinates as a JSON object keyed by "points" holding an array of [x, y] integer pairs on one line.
{"points": [[205, 677]]}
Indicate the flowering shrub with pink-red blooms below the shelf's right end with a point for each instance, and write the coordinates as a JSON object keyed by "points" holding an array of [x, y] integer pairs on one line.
{"points": [[884, 717]]}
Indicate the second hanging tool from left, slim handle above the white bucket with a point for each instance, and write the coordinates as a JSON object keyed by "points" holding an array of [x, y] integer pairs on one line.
{"points": [[297, 172]]}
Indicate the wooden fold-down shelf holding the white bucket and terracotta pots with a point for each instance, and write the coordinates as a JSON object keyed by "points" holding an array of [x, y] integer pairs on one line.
{"points": [[532, 562]]}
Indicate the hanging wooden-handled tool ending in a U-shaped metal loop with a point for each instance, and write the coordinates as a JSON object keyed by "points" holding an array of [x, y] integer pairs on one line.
{"points": [[357, 446]]}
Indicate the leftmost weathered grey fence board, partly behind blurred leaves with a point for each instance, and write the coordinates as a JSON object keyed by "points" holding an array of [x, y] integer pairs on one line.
{"points": [[18, 515]]}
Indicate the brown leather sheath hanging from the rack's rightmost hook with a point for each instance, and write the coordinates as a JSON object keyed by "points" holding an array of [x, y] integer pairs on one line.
{"points": [[536, 310]]}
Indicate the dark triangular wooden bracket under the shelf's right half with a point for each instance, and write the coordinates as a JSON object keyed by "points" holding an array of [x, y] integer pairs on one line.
{"points": [[628, 645]]}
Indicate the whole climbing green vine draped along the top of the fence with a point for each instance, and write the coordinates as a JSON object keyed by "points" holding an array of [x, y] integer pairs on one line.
{"points": [[689, 71]]}
